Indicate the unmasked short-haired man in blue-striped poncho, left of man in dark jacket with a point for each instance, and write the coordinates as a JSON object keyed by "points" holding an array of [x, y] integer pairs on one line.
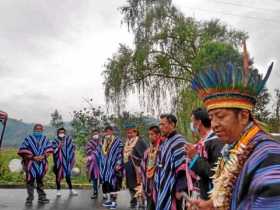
{"points": [[170, 173]]}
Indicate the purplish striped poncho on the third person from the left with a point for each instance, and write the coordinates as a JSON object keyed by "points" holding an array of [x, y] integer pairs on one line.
{"points": [[94, 158]]}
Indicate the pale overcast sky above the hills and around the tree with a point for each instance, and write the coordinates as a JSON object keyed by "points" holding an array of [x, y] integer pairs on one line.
{"points": [[52, 52]]}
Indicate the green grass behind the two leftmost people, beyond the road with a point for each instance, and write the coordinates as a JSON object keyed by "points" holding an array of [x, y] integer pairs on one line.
{"points": [[8, 178]]}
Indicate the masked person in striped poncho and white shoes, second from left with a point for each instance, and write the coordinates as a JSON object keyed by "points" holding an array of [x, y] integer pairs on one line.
{"points": [[64, 160]]}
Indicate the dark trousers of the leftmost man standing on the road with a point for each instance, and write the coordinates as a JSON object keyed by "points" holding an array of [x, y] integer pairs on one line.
{"points": [[30, 185]]}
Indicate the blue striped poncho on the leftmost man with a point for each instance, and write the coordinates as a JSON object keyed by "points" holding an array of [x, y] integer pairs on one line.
{"points": [[30, 148]]}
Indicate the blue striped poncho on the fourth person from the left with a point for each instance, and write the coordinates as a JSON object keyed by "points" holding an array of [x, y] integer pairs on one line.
{"points": [[113, 158]]}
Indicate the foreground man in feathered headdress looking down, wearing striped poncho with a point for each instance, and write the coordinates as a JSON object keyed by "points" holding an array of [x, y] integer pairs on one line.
{"points": [[247, 176]]}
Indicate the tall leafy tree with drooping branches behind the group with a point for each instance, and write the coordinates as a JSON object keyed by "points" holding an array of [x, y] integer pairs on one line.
{"points": [[168, 49]]}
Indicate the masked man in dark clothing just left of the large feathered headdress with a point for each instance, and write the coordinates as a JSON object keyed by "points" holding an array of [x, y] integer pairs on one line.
{"points": [[205, 153]]}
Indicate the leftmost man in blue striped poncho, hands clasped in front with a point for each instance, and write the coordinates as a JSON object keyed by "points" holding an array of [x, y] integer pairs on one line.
{"points": [[34, 151]]}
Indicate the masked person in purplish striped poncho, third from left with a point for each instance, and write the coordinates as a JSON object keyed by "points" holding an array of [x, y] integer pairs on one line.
{"points": [[94, 161]]}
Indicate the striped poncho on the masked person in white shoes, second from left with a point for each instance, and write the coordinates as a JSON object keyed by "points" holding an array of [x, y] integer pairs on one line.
{"points": [[63, 156]]}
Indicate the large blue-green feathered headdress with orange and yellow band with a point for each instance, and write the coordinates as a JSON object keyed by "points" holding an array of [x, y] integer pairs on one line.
{"points": [[230, 87]]}
